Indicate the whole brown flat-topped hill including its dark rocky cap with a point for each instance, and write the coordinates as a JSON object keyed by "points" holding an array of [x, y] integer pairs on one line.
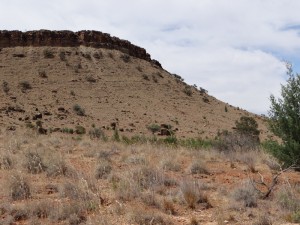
{"points": [[64, 79]]}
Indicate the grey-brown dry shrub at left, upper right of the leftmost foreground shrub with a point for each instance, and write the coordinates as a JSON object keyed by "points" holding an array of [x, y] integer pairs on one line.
{"points": [[34, 163]]}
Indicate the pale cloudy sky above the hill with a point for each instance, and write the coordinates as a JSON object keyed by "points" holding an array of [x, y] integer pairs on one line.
{"points": [[233, 48]]}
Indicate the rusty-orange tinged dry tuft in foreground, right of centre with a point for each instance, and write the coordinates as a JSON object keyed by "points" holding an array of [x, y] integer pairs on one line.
{"points": [[192, 194]]}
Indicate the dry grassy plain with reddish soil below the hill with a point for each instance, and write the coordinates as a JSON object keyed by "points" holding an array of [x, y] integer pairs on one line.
{"points": [[138, 179]]}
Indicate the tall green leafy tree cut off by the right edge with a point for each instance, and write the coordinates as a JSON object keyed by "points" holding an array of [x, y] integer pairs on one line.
{"points": [[285, 121]]}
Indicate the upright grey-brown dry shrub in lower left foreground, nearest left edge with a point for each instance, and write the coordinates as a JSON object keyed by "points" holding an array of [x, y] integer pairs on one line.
{"points": [[19, 188]]}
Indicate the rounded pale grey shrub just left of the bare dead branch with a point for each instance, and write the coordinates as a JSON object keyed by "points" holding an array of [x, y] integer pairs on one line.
{"points": [[246, 194]]}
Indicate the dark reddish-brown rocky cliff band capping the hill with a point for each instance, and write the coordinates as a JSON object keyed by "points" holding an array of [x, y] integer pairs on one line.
{"points": [[94, 39]]}
